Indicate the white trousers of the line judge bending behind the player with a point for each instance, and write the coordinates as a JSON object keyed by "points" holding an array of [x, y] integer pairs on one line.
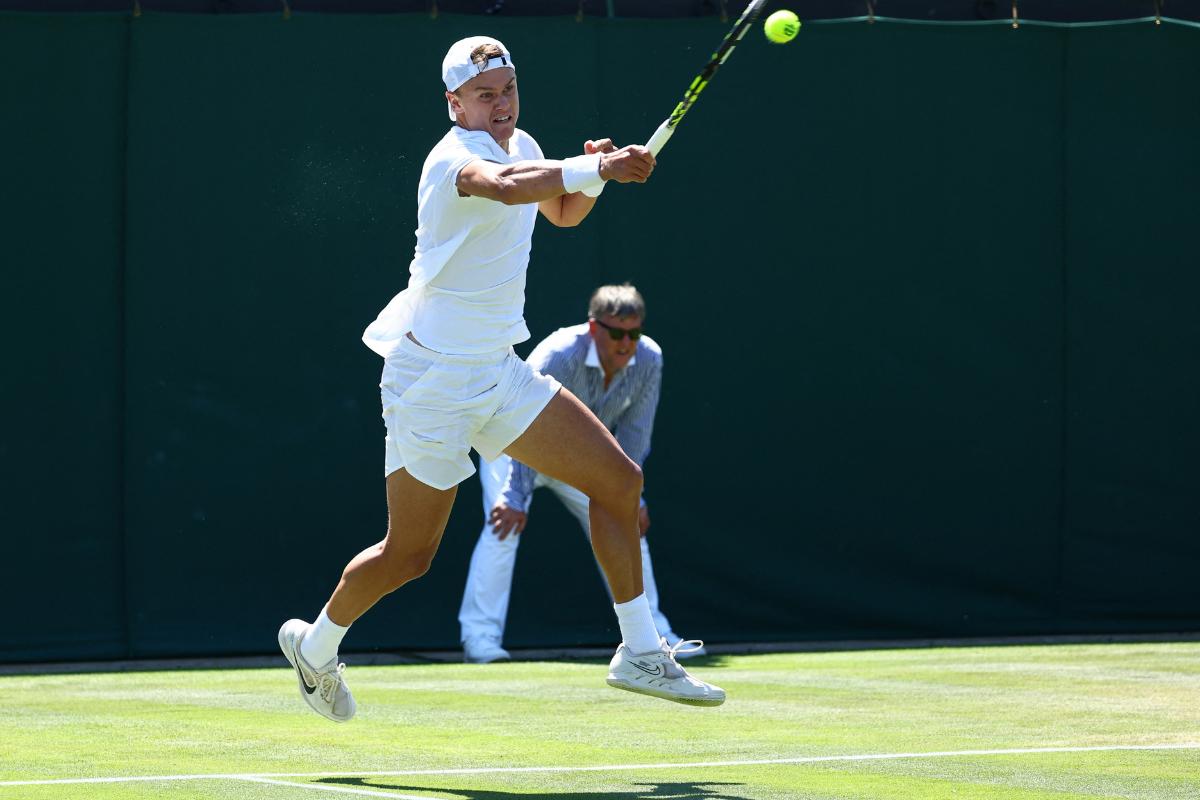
{"points": [[485, 601]]}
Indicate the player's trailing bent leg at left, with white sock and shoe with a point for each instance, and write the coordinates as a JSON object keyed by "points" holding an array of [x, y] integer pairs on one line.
{"points": [[417, 519]]}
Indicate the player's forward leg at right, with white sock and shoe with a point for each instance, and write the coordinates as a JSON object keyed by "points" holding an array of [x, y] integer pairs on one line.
{"points": [[567, 442]]}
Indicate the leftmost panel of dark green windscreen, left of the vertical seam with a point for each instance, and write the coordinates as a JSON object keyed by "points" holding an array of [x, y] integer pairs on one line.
{"points": [[62, 208]]}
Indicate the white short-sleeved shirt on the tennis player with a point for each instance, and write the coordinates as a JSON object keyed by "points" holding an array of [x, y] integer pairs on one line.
{"points": [[466, 287]]}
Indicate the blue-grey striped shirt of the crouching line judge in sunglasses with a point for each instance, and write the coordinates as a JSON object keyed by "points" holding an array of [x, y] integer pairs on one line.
{"points": [[627, 408]]}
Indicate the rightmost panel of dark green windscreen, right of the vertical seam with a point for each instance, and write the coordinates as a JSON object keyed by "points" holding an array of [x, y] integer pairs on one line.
{"points": [[1133, 333]]}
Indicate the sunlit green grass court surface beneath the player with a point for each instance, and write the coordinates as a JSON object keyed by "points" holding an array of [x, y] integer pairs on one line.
{"points": [[434, 718]]}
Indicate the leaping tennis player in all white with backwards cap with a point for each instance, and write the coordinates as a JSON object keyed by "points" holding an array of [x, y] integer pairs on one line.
{"points": [[452, 381]]}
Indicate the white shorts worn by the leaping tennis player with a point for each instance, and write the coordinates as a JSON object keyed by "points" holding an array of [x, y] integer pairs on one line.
{"points": [[439, 407]]}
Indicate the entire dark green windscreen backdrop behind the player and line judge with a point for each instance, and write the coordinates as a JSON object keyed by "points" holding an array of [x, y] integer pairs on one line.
{"points": [[927, 297]]}
